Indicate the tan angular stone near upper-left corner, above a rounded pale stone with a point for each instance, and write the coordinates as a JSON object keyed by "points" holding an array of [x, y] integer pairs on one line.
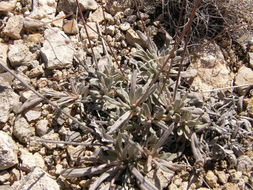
{"points": [[14, 26]]}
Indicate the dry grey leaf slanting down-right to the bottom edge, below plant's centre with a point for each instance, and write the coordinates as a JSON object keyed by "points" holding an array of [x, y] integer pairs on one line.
{"points": [[143, 183]]}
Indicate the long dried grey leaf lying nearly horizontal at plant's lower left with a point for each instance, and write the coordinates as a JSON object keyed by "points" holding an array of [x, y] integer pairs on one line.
{"points": [[89, 171]]}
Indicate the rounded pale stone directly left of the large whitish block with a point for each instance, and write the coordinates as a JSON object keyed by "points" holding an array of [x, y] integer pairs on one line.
{"points": [[19, 54]]}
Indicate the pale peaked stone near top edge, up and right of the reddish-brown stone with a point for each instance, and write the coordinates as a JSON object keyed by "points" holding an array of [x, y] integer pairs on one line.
{"points": [[98, 16]]}
